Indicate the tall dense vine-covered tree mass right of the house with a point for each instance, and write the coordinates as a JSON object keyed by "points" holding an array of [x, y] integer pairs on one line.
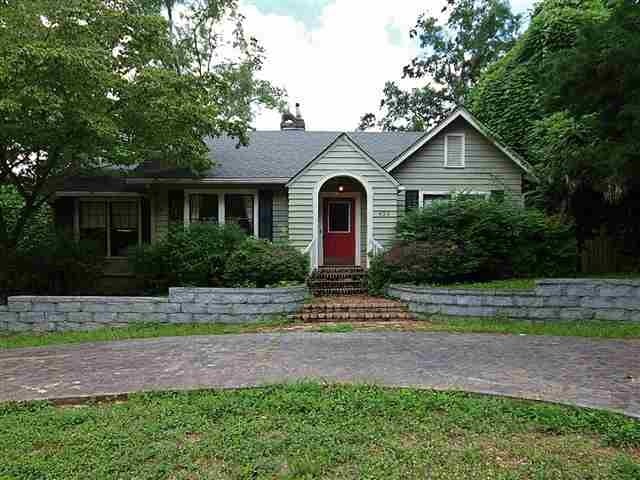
{"points": [[567, 97]]}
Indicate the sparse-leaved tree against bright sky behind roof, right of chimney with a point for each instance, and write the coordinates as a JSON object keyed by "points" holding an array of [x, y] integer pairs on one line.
{"points": [[455, 53]]}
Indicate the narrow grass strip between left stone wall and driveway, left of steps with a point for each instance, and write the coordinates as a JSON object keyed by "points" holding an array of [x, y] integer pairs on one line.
{"points": [[141, 330]]}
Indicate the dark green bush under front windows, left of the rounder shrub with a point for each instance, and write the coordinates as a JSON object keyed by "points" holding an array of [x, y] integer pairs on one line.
{"points": [[192, 256]]}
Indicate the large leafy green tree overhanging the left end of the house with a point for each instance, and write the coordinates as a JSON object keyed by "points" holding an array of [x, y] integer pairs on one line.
{"points": [[86, 84]]}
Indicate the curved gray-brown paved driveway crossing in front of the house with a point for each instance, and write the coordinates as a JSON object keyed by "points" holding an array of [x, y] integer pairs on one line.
{"points": [[594, 373]]}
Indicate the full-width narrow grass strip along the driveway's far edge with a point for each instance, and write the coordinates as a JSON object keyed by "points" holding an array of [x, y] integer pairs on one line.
{"points": [[591, 328]]}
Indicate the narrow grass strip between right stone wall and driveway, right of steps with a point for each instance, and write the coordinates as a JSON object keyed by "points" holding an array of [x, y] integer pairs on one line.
{"points": [[587, 328]]}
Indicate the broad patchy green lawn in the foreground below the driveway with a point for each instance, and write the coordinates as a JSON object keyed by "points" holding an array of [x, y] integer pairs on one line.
{"points": [[309, 431]]}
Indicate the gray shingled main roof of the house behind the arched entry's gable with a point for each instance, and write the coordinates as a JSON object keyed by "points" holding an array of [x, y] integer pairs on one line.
{"points": [[280, 155]]}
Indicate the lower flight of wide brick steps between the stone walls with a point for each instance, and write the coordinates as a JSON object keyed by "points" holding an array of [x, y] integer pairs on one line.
{"points": [[354, 309]]}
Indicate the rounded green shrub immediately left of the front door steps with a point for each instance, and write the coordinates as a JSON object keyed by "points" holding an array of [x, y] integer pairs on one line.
{"points": [[260, 263]]}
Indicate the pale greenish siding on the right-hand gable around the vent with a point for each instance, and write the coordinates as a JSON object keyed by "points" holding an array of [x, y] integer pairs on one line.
{"points": [[486, 167]]}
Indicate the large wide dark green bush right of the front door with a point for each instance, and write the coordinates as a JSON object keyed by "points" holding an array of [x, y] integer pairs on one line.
{"points": [[475, 239]]}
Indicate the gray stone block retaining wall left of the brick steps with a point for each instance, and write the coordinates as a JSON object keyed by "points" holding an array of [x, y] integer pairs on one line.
{"points": [[183, 305]]}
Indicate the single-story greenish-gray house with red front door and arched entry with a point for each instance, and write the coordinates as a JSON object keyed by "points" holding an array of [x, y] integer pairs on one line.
{"points": [[335, 195]]}
